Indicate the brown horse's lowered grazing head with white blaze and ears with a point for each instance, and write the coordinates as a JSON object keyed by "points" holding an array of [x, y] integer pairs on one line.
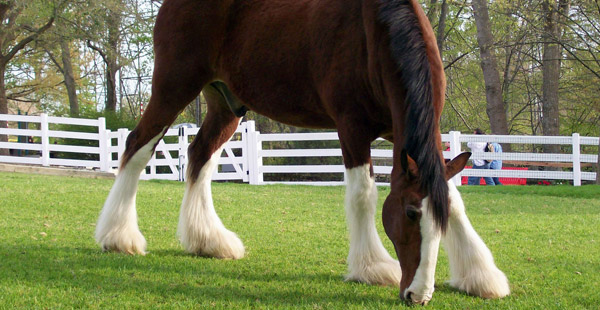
{"points": [[411, 228]]}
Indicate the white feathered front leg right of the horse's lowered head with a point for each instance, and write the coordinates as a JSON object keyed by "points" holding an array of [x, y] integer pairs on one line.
{"points": [[472, 266]]}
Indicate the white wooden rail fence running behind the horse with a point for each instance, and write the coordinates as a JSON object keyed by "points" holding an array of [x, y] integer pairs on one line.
{"points": [[252, 157]]}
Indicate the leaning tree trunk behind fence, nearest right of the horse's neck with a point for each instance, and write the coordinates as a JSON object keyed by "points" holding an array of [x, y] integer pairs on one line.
{"points": [[496, 109]]}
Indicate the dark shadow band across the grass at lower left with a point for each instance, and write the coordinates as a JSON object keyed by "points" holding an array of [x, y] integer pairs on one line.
{"points": [[165, 274]]}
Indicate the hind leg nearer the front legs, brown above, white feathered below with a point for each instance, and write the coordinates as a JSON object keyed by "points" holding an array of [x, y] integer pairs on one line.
{"points": [[200, 230]]}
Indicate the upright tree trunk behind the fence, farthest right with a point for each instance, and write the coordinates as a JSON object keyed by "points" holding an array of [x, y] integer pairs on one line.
{"points": [[551, 60]]}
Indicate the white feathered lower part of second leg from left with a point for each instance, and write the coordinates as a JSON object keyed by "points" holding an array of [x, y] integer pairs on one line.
{"points": [[200, 230]]}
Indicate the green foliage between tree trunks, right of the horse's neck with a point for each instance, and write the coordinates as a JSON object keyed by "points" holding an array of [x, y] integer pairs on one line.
{"points": [[517, 27]]}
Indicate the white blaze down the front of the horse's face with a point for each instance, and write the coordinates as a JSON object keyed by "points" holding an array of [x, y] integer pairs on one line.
{"points": [[422, 287]]}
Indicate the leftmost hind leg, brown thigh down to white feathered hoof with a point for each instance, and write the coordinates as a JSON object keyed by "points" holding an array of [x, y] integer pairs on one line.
{"points": [[176, 82]]}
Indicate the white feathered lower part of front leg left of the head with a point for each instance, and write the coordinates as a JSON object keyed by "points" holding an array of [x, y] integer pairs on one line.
{"points": [[368, 260]]}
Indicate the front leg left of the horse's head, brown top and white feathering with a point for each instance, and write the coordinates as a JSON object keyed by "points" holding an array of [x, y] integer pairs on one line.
{"points": [[368, 260]]}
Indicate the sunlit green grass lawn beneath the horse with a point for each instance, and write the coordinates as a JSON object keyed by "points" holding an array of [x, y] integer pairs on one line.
{"points": [[546, 240]]}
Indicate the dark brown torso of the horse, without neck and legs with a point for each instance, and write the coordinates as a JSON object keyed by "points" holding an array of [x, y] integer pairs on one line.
{"points": [[290, 60]]}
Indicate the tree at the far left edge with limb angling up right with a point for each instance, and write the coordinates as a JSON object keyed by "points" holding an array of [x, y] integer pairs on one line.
{"points": [[15, 34]]}
